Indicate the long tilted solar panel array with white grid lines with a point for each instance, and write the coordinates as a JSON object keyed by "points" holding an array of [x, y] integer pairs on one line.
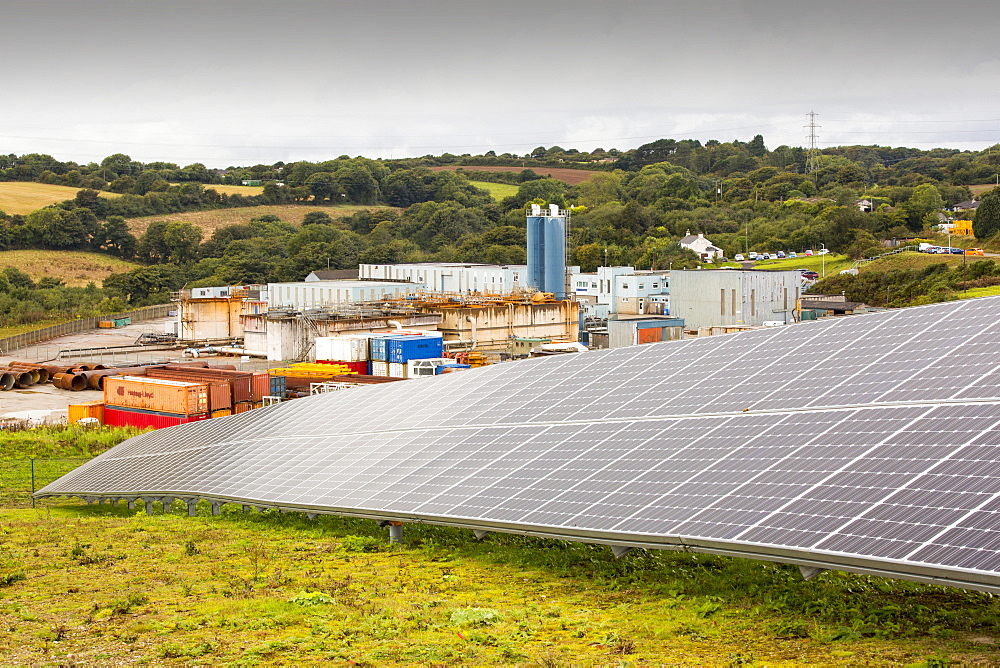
{"points": [[866, 443]]}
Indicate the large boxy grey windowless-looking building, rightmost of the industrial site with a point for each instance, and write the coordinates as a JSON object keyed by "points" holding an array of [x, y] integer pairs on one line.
{"points": [[728, 298]]}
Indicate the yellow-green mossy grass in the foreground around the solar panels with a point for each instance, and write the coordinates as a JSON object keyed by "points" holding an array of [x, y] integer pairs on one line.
{"points": [[94, 585]]}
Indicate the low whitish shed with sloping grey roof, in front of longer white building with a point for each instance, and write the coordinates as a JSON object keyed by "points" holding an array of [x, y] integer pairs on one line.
{"points": [[316, 294]]}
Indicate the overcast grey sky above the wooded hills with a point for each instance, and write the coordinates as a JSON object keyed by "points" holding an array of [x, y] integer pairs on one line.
{"points": [[231, 82]]}
